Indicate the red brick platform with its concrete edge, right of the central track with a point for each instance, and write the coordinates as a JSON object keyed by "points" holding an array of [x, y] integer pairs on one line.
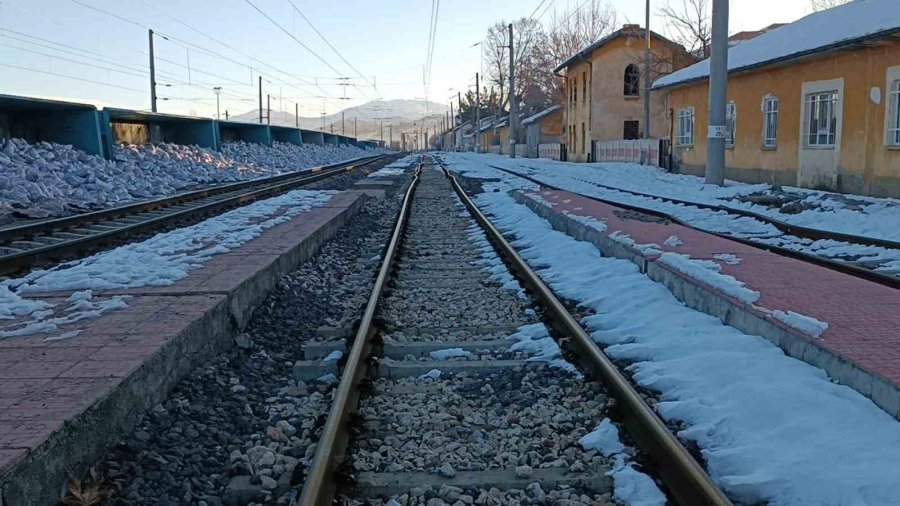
{"points": [[860, 348]]}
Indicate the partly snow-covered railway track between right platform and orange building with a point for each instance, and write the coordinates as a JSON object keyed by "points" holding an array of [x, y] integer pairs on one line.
{"points": [[795, 239]]}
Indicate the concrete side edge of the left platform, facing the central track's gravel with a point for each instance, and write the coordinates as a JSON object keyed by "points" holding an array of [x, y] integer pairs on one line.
{"points": [[37, 476]]}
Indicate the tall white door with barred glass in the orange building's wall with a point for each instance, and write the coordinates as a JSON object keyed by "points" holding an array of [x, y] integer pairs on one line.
{"points": [[820, 133]]}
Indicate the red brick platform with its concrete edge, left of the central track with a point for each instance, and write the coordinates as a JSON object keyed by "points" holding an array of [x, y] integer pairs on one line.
{"points": [[64, 402]]}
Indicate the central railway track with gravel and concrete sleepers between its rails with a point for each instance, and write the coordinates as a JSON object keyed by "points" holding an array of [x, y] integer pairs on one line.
{"points": [[434, 405]]}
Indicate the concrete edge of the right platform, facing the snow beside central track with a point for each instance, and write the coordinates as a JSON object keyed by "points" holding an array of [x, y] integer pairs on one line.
{"points": [[741, 315]]}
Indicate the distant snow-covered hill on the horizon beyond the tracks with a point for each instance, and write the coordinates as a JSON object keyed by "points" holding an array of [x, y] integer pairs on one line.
{"points": [[399, 116]]}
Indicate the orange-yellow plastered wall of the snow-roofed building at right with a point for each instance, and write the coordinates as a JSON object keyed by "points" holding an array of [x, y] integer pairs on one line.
{"points": [[865, 164]]}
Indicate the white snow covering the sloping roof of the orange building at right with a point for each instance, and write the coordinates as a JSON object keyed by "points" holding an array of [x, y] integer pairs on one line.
{"points": [[816, 32]]}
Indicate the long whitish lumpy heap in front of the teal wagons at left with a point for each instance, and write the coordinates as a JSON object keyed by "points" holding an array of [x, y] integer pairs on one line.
{"points": [[49, 180]]}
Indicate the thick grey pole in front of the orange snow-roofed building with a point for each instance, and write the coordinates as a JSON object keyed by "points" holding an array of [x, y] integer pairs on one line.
{"points": [[718, 93]]}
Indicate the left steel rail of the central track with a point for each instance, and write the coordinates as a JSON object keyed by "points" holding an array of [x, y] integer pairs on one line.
{"points": [[320, 486]]}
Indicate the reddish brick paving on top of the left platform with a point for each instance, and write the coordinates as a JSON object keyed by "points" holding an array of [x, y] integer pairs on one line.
{"points": [[44, 383]]}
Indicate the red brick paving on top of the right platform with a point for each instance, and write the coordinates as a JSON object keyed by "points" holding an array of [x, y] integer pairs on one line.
{"points": [[863, 317]]}
